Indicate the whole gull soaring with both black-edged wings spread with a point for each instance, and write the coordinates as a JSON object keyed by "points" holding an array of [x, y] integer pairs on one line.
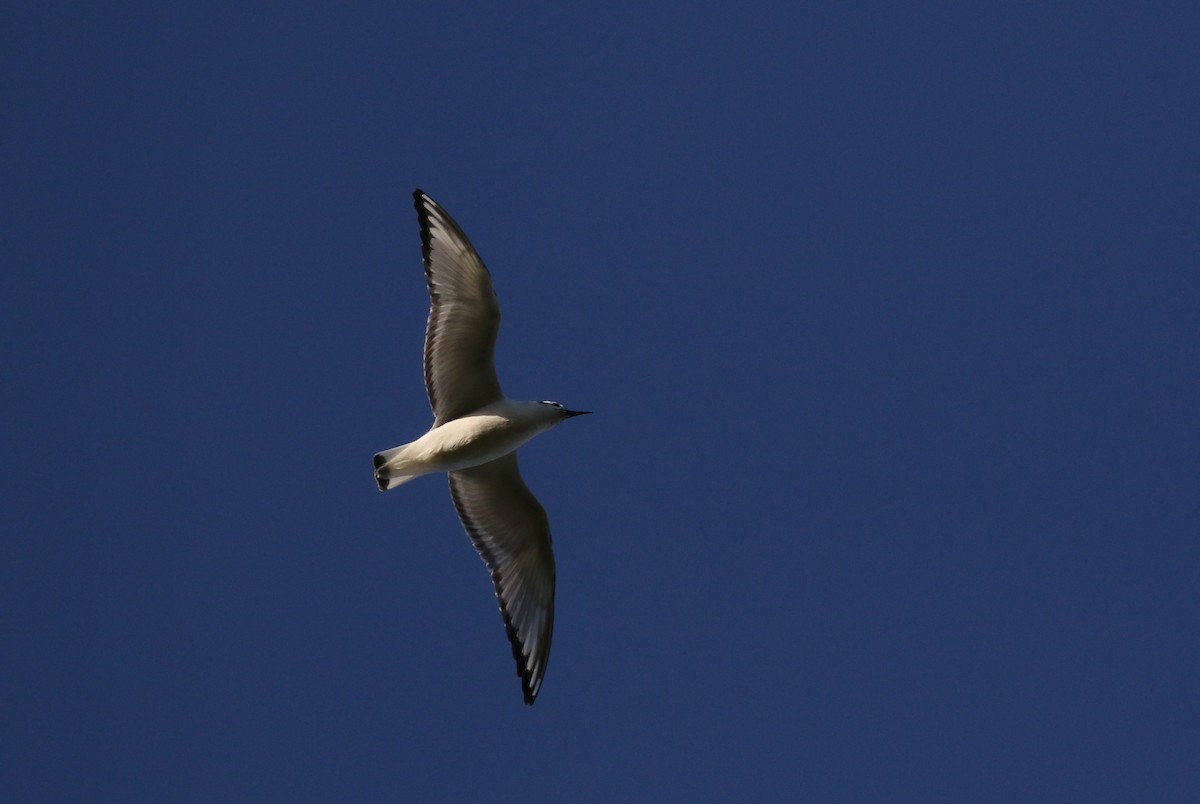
{"points": [[476, 435]]}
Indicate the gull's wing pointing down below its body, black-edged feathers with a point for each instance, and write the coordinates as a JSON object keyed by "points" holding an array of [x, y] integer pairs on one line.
{"points": [[512, 533]]}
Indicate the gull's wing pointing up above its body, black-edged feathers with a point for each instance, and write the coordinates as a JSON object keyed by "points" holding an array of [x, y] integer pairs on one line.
{"points": [[465, 317]]}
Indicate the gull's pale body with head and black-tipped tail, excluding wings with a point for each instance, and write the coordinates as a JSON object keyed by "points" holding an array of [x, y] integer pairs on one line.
{"points": [[479, 437]]}
